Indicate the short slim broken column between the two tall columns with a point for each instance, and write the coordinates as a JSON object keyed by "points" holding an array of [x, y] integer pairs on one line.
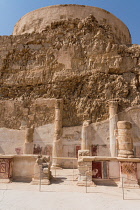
{"points": [[85, 144]]}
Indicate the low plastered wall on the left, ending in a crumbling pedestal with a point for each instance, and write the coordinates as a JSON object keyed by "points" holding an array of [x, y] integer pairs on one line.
{"points": [[25, 168]]}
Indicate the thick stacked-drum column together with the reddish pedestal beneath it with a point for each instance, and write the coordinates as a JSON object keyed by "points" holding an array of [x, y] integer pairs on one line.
{"points": [[128, 169]]}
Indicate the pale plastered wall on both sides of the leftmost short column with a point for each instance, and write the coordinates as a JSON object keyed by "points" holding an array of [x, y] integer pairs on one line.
{"points": [[12, 141]]}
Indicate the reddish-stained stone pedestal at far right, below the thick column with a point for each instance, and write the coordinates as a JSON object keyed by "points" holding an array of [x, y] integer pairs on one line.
{"points": [[128, 175]]}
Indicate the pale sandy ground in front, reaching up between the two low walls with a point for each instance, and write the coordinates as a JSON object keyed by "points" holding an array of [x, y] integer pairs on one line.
{"points": [[64, 194]]}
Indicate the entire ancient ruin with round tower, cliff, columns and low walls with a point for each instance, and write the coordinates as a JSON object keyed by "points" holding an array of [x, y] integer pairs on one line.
{"points": [[70, 81]]}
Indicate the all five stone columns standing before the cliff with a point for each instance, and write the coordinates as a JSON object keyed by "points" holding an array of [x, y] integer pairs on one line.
{"points": [[124, 147]]}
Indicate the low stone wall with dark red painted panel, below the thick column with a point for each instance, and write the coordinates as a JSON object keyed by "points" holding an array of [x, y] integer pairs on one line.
{"points": [[96, 170]]}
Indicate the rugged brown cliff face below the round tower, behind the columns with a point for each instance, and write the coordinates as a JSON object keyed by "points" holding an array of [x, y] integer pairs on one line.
{"points": [[81, 62]]}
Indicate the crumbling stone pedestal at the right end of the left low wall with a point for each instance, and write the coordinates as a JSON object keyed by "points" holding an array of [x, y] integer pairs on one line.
{"points": [[42, 173]]}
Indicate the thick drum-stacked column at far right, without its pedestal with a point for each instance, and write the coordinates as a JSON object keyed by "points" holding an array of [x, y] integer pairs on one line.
{"points": [[125, 141]]}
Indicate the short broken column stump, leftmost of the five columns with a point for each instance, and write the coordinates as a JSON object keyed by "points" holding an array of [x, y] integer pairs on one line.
{"points": [[28, 145]]}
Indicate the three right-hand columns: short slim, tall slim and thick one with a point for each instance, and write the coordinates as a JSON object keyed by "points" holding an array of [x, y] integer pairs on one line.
{"points": [[121, 142]]}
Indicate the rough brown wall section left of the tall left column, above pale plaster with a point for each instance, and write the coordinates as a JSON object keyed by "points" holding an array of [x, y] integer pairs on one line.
{"points": [[23, 112]]}
